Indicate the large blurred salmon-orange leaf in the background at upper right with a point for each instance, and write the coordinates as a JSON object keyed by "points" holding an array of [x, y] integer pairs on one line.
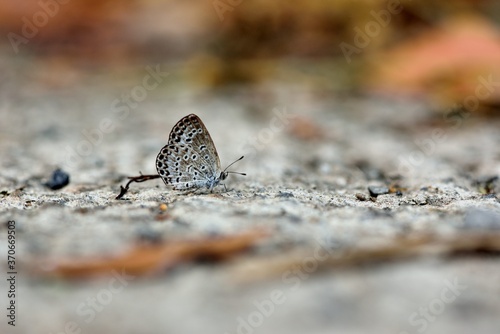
{"points": [[444, 63]]}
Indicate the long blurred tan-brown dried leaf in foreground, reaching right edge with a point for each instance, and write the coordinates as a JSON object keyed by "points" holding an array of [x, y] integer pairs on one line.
{"points": [[380, 251]]}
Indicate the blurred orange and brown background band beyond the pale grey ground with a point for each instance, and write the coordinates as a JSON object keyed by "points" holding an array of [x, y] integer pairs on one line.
{"points": [[433, 51]]}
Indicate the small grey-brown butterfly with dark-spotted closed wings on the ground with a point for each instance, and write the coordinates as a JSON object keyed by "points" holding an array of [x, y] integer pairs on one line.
{"points": [[190, 160]]}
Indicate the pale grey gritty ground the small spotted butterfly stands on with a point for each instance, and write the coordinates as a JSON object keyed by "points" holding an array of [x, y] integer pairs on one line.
{"points": [[310, 158]]}
